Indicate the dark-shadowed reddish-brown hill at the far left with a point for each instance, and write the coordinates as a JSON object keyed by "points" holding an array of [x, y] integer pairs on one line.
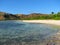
{"points": [[7, 16]]}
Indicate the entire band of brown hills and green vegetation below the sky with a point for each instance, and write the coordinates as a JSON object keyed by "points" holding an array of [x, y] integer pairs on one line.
{"points": [[33, 16]]}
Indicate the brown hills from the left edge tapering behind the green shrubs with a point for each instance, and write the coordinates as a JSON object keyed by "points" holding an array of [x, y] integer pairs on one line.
{"points": [[7, 16]]}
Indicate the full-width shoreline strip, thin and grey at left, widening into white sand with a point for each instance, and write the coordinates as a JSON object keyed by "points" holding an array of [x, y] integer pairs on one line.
{"points": [[51, 22]]}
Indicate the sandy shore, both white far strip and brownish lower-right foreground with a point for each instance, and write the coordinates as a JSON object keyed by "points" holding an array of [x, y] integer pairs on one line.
{"points": [[54, 39]]}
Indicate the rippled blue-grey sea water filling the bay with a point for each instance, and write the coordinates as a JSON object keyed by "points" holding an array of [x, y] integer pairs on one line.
{"points": [[21, 33]]}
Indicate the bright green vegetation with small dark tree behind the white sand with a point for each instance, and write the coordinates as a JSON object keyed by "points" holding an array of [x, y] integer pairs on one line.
{"points": [[51, 16]]}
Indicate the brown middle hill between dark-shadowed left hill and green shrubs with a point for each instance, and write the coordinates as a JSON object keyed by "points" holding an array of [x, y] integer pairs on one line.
{"points": [[31, 16]]}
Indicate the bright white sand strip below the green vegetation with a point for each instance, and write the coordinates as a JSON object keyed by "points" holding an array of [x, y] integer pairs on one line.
{"points": [[54, 22]]}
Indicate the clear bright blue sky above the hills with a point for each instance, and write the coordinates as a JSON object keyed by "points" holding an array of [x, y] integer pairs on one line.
{"points": [[29, 6]]}
